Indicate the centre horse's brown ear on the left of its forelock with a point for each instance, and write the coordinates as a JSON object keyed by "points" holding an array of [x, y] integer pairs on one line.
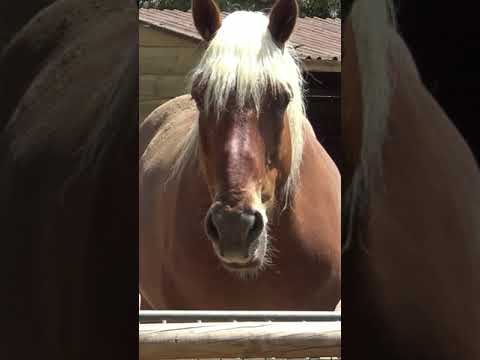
{"points": [[206, 16]]}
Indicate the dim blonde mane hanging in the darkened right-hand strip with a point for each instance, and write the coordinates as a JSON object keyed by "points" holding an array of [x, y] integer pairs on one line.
{"points": [[371, 22]]}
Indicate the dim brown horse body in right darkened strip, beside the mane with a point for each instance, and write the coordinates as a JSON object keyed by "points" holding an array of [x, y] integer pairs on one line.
{"points": [[425, 214]]}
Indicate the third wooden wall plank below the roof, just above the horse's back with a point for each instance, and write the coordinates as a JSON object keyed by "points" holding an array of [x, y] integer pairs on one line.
{"points": [[160, 87]]}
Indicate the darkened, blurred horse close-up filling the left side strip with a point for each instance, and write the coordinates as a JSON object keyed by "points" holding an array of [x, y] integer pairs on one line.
{"points": [[69, 183]]}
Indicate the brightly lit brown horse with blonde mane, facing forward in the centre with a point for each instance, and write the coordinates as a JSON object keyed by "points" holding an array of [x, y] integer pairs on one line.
{"points": [[239, 204]]}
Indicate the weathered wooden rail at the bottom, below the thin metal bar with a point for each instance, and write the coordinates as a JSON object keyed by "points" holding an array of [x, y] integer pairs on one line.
{"points": [[239, 339]]}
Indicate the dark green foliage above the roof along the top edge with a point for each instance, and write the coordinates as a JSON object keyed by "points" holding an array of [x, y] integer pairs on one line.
{"points": [[319, 8]]}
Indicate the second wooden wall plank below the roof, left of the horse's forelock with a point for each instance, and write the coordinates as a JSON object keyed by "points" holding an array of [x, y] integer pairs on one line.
{"points": [[168, 61]]}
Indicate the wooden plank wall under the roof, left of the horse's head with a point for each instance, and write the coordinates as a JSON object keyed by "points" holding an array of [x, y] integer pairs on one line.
{"points": [[165, 61]]}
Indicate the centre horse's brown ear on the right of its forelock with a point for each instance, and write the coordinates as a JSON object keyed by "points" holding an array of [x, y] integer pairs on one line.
{"points": [[282, 20]]}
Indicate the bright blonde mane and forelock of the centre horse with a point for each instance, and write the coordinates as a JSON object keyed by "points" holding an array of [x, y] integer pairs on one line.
{"points": [[242, 59]]}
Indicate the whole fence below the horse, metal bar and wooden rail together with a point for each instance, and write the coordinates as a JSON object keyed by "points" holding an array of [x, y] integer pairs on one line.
{"points": [[239, 334]]}
